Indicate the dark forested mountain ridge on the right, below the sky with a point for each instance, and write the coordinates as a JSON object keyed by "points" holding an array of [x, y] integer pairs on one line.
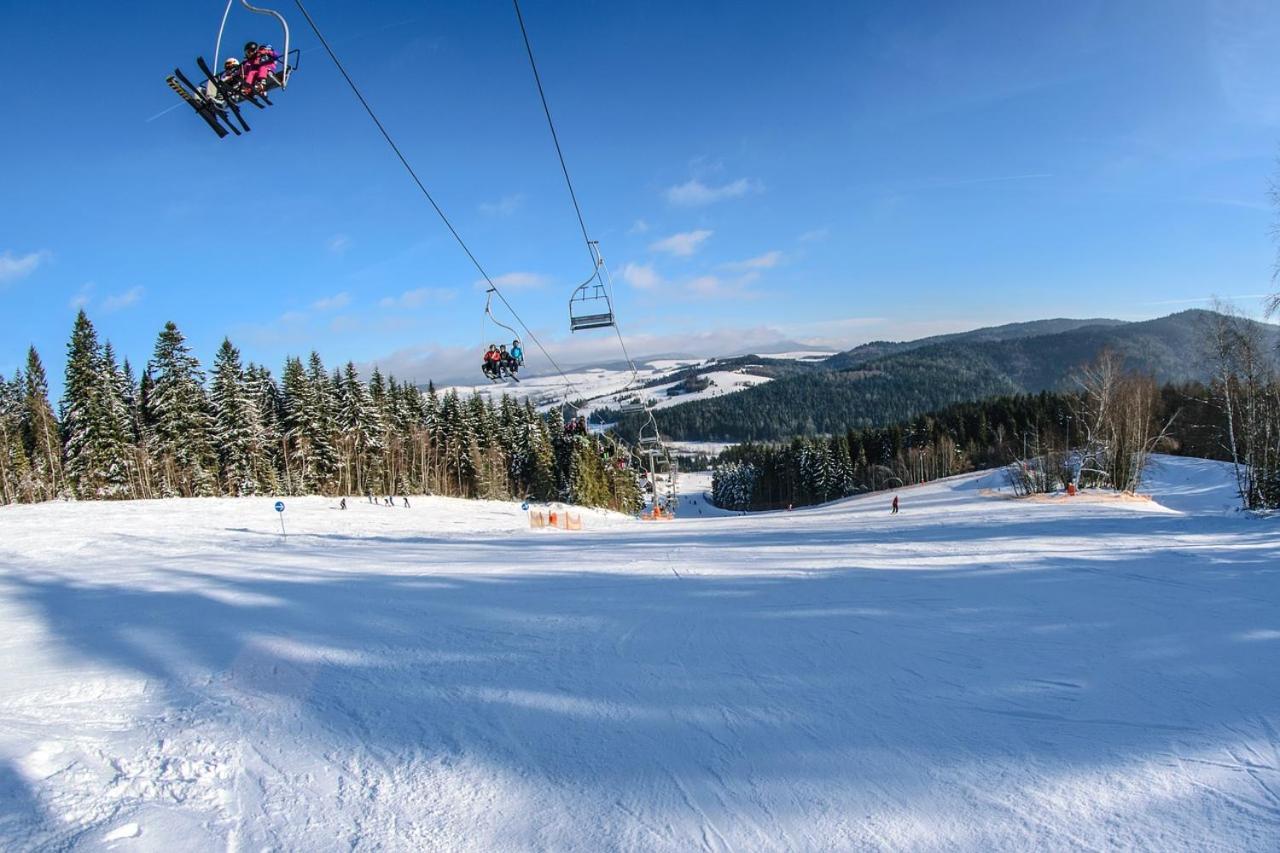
{"points": [[888, 382]]}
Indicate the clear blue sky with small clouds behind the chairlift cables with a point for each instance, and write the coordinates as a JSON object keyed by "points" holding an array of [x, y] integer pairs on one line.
{"points": [[756, 172]]}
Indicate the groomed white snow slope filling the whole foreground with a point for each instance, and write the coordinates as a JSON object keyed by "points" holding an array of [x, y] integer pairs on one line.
{"points": [[976, 673]]}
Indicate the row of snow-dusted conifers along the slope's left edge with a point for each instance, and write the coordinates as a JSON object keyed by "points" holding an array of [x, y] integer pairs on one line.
{"points": [[177, 432]]}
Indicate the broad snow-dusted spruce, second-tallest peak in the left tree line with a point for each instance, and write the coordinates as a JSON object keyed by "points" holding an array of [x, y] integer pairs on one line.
{"points": [[180, 419]]}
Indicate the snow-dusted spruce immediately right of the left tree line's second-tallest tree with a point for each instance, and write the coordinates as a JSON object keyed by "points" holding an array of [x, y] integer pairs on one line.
{"points": [[243, 464]]}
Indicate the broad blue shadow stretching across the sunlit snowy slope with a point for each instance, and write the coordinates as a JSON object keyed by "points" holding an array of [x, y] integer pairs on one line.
{"points": [[615, 682]]}
